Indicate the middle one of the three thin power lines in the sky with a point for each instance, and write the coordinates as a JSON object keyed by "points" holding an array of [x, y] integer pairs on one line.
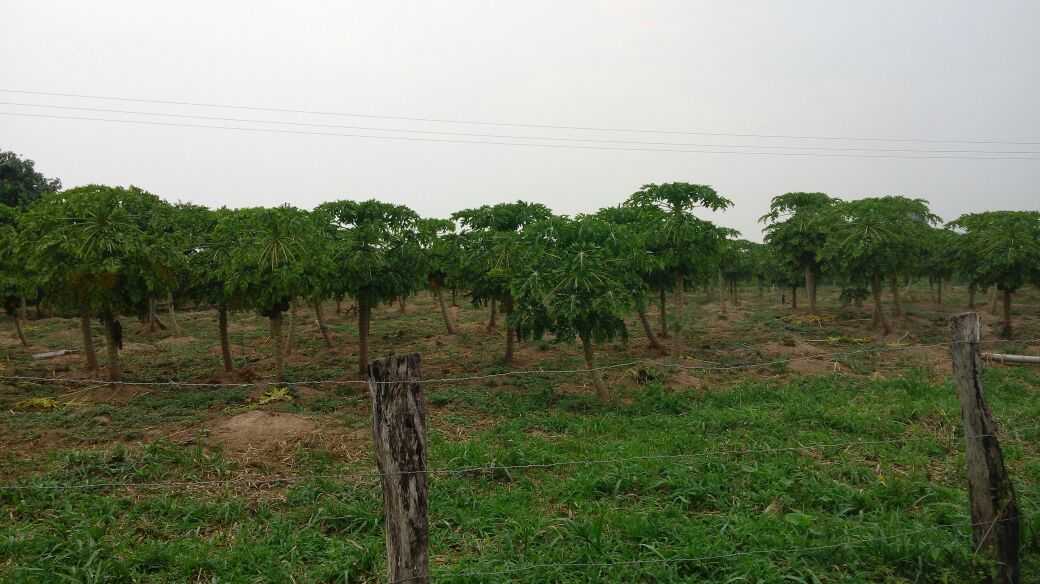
{"points": [[510, 137]]}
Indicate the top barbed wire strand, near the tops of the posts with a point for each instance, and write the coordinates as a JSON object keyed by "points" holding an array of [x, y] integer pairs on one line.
{"points": [[822, 357]]}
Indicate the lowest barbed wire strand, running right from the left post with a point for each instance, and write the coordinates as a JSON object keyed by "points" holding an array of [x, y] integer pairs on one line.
{"points": [[769, 551]]}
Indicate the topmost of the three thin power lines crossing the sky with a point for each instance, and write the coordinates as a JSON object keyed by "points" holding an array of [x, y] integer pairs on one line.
{"points": [[518, 125]]}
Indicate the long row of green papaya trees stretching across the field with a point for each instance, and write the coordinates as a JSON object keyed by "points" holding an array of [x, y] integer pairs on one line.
{"points": [[102, 252]]}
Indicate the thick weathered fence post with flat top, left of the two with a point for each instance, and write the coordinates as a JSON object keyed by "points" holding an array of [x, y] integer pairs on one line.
{"points": [[400, 434]]}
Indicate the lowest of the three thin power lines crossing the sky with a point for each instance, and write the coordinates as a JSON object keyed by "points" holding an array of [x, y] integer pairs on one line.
{"points": [[522, 145]]}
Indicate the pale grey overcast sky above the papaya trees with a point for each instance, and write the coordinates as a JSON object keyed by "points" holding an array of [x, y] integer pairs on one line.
{"points": [[933, 70]]}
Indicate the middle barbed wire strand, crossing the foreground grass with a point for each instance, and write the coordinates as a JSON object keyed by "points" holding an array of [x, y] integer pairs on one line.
{"points": [[488, 469]]}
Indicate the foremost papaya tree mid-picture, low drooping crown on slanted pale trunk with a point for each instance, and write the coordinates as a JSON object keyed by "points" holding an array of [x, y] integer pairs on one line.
{"points": [[580, 284]]}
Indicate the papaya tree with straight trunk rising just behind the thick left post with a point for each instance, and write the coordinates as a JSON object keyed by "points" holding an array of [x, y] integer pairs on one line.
{"points": [[372, 245]]}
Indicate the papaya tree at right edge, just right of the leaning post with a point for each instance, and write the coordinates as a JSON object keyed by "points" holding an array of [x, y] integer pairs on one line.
{"points": [[1007, 248]]}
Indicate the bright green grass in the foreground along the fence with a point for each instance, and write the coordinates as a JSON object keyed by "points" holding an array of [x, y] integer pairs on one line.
{"points": [[330, 529]]}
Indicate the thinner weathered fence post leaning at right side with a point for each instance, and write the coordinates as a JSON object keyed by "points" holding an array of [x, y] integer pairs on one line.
{"points": [[995, 513]]}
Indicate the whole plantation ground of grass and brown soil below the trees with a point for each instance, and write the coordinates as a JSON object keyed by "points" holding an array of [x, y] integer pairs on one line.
{"points": [[841, 468]]}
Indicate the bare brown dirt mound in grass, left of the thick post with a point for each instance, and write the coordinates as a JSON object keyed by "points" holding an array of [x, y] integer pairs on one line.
{"points": [[261, 431]]}
